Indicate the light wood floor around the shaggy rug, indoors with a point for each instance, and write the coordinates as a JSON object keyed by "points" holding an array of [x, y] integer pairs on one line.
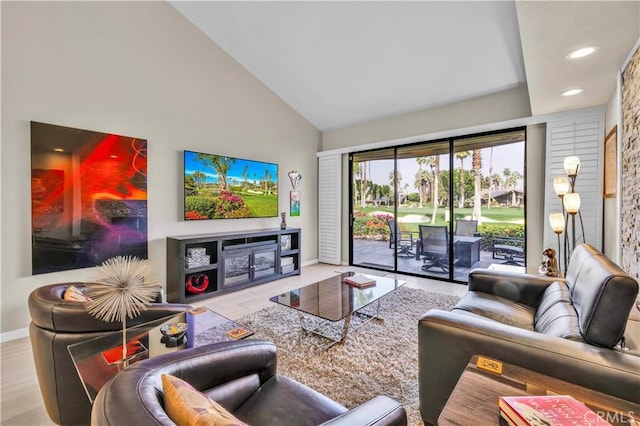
{"points": [[20, 399]]}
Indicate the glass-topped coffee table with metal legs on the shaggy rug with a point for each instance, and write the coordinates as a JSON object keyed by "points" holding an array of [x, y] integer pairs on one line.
{"points": [[324, 303]]}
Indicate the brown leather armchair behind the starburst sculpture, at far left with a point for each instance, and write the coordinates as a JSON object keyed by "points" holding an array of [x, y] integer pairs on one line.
{"points": [[56, 324]]}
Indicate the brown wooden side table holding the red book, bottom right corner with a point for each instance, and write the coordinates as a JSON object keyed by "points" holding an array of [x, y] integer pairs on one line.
{"points": [[474, 399]]}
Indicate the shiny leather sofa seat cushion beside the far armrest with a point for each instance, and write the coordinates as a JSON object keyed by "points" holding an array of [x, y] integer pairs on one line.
{"points": [[497, 308]]}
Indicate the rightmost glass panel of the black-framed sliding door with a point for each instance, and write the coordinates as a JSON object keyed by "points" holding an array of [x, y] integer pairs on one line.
{"points": [[488, 203]]}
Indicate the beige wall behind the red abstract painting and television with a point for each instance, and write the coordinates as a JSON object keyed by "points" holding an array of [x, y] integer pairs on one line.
{"points": [[137, 69]]}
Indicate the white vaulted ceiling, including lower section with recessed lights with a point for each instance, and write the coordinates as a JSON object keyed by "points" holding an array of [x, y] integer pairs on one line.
{"points": [[344, 63]]}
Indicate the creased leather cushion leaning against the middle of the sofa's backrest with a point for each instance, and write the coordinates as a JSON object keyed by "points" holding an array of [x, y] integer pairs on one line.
{"points": [[555, 315]]}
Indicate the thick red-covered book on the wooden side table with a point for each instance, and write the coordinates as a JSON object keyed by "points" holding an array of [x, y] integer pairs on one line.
{"points": [[547, 410]]}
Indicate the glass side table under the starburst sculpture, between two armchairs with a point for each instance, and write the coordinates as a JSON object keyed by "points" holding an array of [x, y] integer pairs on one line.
{"points": [[98, 360]]}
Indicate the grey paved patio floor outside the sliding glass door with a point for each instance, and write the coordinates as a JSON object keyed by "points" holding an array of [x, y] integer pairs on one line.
{"points": [[377, 254]]}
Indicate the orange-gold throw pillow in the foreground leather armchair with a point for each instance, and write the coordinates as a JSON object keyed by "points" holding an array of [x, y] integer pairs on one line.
{"points": [[188, 407]]}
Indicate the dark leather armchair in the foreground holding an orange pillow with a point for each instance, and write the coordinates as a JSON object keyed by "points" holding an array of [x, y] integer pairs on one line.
{"points": [[241, 376]]}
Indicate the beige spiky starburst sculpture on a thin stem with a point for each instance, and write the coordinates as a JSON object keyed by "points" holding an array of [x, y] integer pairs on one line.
{"points": [[124, 287]]}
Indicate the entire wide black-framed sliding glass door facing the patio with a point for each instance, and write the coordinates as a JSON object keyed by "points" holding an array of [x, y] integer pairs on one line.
{"points": [[438, 209]]}
